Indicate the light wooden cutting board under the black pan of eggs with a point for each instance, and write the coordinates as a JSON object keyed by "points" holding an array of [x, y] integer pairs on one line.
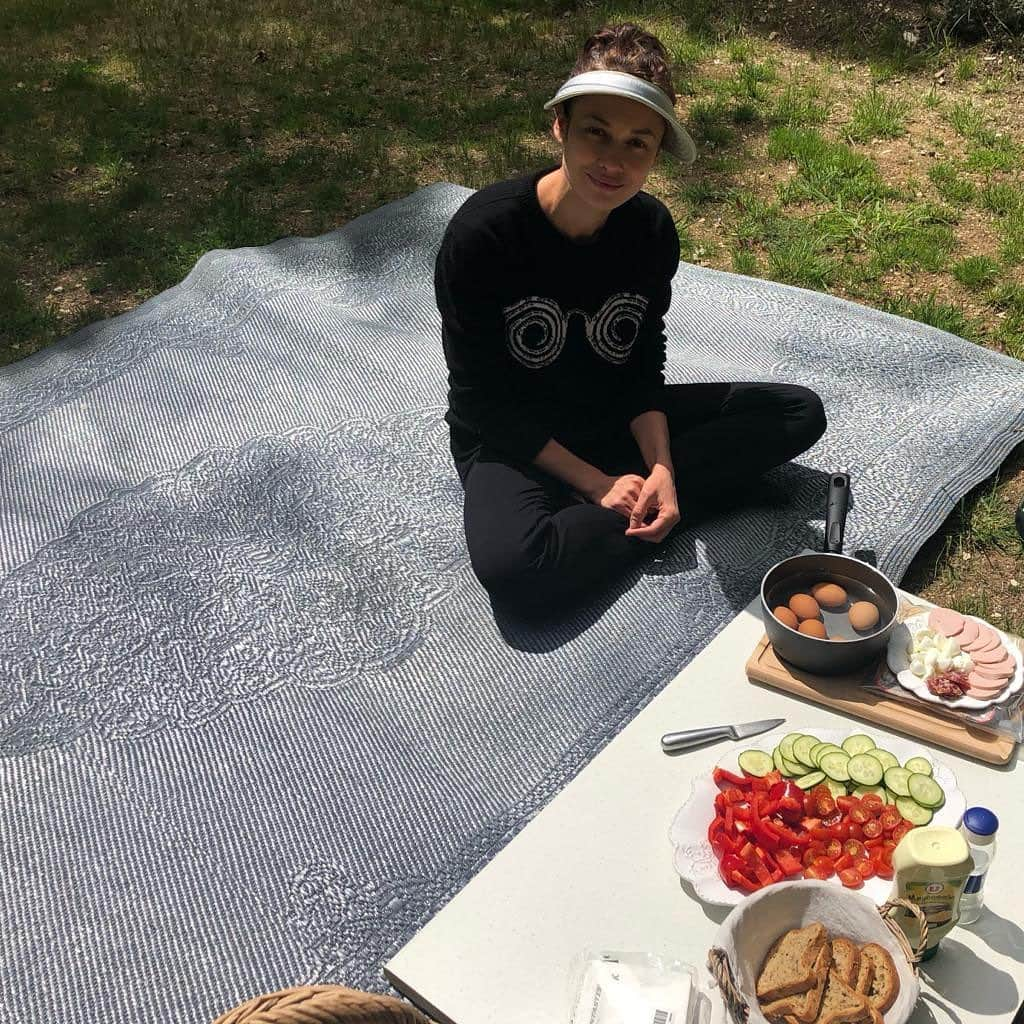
{"points": [[848, 695]]}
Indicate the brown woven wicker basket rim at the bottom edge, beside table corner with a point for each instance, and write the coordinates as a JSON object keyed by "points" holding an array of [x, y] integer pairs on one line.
{"points": [[323, 1005]]}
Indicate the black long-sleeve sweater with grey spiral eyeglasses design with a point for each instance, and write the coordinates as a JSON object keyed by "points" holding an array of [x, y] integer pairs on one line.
{"points": [[546, 337]]}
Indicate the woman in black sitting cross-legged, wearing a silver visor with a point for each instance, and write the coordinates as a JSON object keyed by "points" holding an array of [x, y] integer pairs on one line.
{"points": [[575, 455]]}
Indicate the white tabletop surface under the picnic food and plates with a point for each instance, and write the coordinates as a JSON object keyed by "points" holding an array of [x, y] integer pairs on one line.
{"points": [[594, 871]]}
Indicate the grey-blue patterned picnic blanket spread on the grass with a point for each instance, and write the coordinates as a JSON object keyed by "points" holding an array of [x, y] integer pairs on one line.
{"points": [[259, 721]]}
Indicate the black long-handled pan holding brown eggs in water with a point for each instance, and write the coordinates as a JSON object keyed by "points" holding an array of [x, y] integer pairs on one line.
{"points": [[799, 574]]}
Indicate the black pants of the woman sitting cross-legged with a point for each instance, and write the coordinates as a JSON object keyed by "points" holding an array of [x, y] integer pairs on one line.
{"points": [[536, 545]]}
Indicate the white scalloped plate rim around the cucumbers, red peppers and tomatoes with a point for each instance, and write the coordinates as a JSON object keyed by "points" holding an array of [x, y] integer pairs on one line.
{"points": [[696, 862]]}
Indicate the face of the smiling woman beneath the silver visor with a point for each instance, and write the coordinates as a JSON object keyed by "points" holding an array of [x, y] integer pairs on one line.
{"points": [[609, 148]]}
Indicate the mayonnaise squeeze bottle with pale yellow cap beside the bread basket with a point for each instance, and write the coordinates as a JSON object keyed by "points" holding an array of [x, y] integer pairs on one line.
{"points": [[931, 867]]}
